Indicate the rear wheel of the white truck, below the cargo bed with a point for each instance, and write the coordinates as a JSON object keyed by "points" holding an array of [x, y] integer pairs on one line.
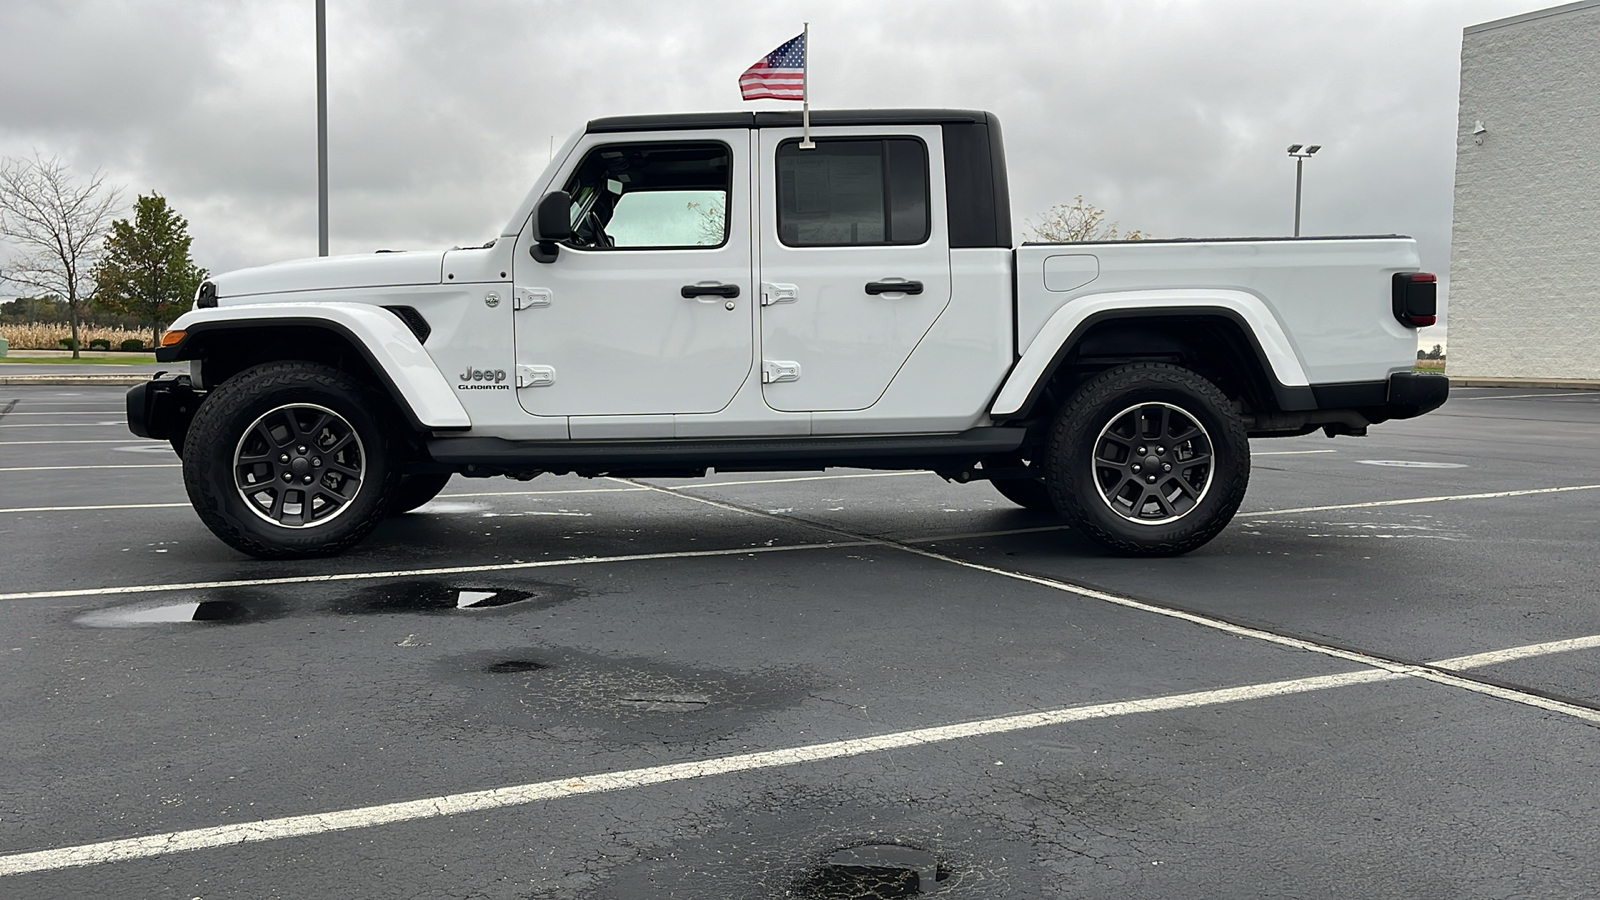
{"points": [[1137, 396]]}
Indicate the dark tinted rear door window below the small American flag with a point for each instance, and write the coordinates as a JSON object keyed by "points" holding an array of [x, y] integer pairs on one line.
{"points": [[850, 193]]}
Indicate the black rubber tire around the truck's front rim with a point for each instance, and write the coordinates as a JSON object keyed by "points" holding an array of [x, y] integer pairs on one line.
{"points": [[217, 443]]}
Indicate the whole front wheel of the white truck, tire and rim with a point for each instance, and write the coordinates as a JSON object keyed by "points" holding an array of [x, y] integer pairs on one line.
{"points": [[292, 460]]}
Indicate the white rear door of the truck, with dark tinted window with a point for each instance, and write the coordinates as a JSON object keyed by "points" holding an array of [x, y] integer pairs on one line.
{"points": [[855, 260]]}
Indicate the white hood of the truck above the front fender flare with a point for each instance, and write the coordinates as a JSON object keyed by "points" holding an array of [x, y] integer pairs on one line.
{"points": [[334, 273]]}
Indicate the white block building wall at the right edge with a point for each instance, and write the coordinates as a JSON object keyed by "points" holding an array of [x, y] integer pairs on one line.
{"points": [[1526, 255]]}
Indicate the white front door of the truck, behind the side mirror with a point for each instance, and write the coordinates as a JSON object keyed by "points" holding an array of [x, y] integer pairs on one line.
{"points": [[649, 308]]}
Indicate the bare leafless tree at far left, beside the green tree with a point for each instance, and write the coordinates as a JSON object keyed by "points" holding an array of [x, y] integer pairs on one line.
{"points": [[58, 228]]}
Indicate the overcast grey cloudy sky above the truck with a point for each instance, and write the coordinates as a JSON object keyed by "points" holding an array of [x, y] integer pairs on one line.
{"points": [[1170, 115]]}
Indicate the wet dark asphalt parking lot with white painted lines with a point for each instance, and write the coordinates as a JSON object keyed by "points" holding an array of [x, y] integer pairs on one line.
{"points": [[1383, 680]]}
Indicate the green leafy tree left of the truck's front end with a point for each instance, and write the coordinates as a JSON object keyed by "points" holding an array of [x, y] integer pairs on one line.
{"points": [[146, 270]]}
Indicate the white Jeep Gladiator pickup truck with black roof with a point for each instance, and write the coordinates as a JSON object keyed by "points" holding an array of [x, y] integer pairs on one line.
{"points": [[682, 294]]}
